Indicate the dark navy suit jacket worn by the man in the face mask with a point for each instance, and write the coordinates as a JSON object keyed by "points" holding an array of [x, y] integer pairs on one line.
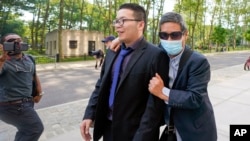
{"points": [[192, 110]]}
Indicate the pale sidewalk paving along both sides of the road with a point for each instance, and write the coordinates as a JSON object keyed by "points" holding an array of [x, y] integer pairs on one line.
{"points": [[229, 91]]}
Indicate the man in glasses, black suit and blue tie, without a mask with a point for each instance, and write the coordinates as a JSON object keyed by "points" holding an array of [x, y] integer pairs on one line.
{"points": [[133, 114]]}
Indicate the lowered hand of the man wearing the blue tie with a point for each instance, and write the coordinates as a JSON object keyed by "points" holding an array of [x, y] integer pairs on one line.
{"points": [[84, 127]]}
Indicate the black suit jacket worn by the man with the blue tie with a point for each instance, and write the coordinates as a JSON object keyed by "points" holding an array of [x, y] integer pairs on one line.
{"points": [[137, 115]]}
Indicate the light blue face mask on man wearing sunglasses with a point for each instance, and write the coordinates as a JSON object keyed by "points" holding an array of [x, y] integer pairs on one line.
{"points": [[172, 47]]}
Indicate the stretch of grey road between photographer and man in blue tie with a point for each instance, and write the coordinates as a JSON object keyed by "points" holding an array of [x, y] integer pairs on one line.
{"points": [[62, 86]]}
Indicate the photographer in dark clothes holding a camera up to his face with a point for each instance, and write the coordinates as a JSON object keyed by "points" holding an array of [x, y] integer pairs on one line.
{"points": [[16, 77]]}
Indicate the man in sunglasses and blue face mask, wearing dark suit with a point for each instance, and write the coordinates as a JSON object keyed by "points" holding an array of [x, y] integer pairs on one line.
{"points": [[189, 74]]}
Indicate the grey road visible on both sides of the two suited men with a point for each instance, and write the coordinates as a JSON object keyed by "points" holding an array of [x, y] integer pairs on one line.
{"points": [[66, 85]]}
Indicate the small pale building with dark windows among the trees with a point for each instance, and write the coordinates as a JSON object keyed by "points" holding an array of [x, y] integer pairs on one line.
{"points": [[74, 42]]}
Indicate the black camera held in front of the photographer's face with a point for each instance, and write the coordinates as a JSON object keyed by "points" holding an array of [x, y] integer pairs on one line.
{"points": [[15, 46]]}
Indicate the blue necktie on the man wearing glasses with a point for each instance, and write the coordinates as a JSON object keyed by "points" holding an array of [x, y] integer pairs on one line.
{"points": [[117, 69]]}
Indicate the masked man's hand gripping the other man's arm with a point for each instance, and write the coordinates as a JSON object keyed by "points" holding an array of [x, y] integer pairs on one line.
{"points": [[155, 87]]}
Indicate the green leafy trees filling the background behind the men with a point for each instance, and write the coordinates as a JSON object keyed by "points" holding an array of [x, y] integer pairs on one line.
{"points": [[209, 21]]}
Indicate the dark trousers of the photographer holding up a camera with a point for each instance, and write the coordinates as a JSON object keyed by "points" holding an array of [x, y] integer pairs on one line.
{"points": [[24, 118]]}
